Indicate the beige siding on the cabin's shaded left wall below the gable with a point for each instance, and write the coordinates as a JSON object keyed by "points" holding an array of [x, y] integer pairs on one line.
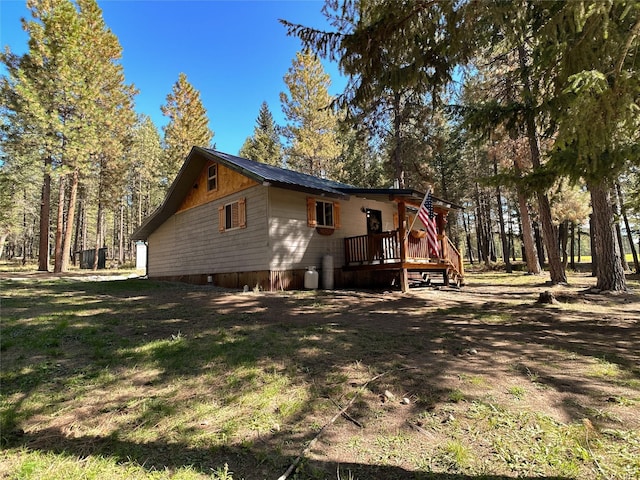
{"points": [[189, 243]]}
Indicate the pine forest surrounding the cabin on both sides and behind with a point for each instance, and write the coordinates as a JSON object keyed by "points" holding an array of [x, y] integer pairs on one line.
{"points": [[525, 113]]}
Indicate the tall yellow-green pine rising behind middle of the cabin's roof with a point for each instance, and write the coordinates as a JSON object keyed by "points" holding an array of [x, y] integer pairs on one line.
{"points": [[312, 125]]}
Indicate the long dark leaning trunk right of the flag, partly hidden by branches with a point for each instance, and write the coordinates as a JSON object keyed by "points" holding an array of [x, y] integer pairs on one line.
{"points": [[549, 236]]}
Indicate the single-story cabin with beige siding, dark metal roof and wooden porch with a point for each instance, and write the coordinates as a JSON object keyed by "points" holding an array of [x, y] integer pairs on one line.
{"points": [[232, 222]]}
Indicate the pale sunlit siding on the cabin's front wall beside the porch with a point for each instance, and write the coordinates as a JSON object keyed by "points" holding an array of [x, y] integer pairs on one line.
{"points": [[294, 244]]}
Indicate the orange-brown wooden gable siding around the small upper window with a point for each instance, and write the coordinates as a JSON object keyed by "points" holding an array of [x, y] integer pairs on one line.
{"points": [[229, 182]]}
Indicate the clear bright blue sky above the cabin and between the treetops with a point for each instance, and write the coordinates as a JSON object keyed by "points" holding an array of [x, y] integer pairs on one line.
{"points": [[234, 52]]}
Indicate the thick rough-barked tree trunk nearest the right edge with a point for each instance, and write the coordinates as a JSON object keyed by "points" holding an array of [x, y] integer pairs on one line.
{"points": [[608, 263]]}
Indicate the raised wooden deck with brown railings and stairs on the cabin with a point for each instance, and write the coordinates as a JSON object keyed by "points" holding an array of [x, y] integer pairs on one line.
{"points": [[383, 252]]}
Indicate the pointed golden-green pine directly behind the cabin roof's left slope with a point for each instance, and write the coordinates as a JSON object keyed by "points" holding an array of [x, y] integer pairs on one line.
{"points": [[188, 126]]}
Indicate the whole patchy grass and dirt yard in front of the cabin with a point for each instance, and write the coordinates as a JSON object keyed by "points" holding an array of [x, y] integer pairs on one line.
{"points": [[136, 379]]}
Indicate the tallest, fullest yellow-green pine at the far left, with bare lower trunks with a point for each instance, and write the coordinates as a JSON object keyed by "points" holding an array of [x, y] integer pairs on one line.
{"points": [[66, 89]]}
